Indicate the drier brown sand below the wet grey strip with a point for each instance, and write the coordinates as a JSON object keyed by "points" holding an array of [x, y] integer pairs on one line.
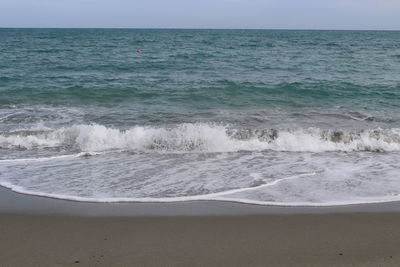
{"points": [[351, 239]]}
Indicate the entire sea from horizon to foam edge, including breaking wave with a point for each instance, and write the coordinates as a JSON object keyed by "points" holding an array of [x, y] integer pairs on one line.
{"points": [[256, 116]]}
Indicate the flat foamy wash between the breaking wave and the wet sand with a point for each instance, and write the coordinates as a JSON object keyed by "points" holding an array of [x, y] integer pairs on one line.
{"points": [[265, 178]]}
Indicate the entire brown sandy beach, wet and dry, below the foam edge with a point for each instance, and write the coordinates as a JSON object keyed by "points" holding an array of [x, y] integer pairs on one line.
{"points": [[38, 231]]}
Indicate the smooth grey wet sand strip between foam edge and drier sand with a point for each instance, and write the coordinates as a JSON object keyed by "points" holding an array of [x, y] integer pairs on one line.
{"points": [[17, 203]]}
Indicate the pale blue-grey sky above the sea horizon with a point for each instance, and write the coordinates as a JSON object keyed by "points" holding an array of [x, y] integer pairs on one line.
{"points": [[209, 14]]}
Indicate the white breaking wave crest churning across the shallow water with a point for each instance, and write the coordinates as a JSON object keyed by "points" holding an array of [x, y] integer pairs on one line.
{"points": [[201, 137]]}
